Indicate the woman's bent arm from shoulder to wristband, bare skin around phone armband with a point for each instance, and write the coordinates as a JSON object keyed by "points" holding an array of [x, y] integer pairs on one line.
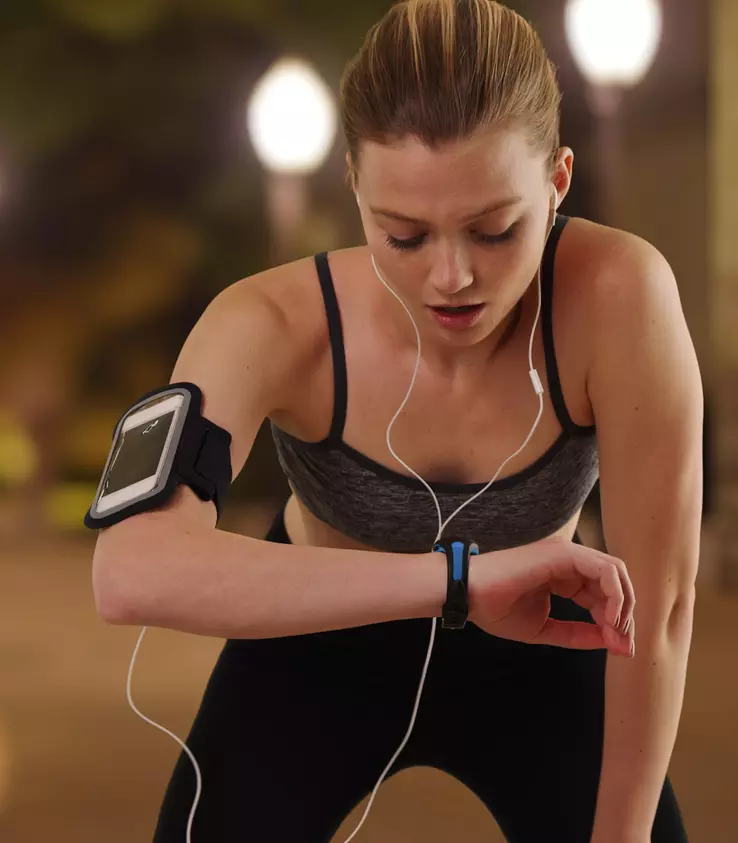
{"points": [[170, 567]]}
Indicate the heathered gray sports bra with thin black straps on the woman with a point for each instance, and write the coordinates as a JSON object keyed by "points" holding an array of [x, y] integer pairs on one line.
{"points": [[383, 509]]}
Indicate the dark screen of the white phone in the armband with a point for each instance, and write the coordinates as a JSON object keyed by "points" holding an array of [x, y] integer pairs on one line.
{"points": [[138, 454]]}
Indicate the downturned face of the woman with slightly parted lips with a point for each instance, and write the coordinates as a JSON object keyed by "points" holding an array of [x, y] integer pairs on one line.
{"points": [[465, 224]]}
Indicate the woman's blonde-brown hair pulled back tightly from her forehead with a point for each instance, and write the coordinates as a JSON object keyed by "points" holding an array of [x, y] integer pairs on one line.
{"points": [[441, 69]]}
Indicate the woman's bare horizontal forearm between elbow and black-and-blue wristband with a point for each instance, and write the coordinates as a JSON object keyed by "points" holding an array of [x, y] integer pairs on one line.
{"points": [[226, 585]]}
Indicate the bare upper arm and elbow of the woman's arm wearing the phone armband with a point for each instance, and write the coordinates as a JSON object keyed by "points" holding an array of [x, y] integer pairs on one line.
{"points": [[243, 358]]}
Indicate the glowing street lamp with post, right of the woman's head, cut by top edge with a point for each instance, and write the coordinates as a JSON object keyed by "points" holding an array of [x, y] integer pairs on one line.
{"points": [[614, 43]]}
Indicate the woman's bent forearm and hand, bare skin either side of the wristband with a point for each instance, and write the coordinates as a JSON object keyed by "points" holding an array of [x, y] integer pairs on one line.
{"points": [[209, 582]]}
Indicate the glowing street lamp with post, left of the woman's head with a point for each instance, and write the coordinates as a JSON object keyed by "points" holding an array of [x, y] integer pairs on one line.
{"points": [[292, 125]]}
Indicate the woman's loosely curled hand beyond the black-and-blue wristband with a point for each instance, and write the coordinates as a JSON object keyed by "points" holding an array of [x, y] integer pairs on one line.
{"points": [[510, 595]]}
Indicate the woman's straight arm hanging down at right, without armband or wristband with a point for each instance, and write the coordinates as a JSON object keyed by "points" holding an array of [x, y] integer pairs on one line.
{"points": [[646, 394]]}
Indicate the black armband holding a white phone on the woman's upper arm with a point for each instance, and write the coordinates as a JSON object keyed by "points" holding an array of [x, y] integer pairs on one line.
{"points": [[160, 442]]}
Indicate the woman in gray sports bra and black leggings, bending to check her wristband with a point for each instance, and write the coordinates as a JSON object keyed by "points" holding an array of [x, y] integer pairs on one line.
{"points": [[451, 116]]}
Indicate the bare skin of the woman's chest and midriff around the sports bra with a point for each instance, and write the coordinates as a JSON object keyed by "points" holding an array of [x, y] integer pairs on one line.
{"points": [[431, 435]]}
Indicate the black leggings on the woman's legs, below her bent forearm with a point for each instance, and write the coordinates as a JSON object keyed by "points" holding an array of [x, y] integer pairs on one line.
{"points": [[293, 732]]}
